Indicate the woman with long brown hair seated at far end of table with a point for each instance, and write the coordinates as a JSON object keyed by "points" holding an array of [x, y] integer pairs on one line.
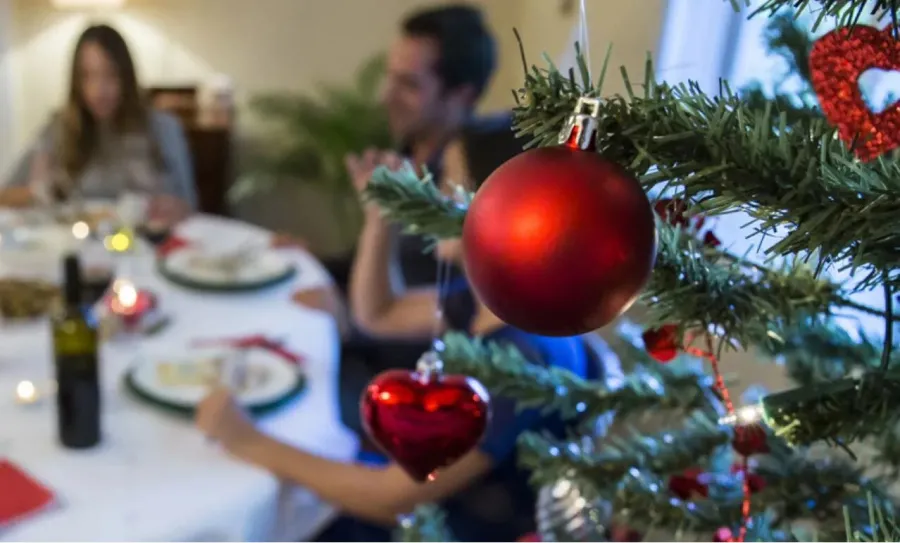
{"points": [[106, 139]]}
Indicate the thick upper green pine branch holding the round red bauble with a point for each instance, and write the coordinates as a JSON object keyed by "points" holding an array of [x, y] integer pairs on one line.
{"points": [[724, 156]]}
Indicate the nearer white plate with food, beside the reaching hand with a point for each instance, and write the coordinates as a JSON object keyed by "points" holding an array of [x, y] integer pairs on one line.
{"points": [[269, 377]]}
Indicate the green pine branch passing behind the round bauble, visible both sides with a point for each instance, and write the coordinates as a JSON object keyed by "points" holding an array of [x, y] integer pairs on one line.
{"points": [[692, 285]]}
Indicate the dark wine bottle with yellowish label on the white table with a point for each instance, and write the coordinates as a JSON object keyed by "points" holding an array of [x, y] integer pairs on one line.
{"points": [[76, 348]]}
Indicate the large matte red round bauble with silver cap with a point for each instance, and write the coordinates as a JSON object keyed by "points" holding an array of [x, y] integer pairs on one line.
{"points": [[559, 241]]}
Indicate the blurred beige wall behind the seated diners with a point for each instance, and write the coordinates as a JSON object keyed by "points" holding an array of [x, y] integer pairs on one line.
{"points": [[289, 44]]}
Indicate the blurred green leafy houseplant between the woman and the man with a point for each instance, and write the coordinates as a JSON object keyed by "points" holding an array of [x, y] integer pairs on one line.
{"points": [[307, 136]]}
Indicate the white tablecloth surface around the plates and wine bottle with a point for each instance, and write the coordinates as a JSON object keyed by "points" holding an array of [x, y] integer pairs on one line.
{"points": [[154, 477]]}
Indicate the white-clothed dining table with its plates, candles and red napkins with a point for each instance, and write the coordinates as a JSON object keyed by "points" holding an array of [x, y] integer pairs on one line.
{"points": [[209, 305]]}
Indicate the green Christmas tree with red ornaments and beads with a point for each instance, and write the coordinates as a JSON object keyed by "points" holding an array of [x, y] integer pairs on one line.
{"points": [[833, 186]]}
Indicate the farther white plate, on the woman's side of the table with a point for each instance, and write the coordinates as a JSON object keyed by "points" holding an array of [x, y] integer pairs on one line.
{"points": [[193, 265]]}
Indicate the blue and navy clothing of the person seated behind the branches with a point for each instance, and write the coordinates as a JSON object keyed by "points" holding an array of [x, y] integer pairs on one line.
{"points": [[501, 505]]}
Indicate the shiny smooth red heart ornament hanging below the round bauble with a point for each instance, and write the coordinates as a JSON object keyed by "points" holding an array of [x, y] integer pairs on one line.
{"points": [[425, 423]]}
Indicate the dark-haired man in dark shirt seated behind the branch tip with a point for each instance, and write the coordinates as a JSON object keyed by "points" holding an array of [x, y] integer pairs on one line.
{"points": [[438, 68]]}
